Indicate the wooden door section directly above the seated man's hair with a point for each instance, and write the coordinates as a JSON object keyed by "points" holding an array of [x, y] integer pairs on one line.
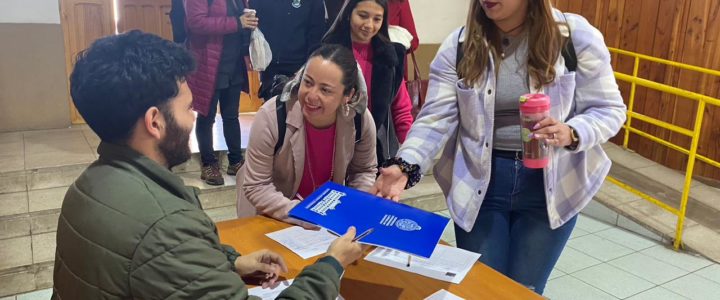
{"points": [[147, 15]]}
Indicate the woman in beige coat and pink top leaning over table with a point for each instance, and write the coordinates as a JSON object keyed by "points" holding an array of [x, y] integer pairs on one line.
{"points": [[320, 143]]}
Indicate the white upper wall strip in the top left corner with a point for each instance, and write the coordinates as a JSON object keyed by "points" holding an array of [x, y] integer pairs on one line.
{"points": [[30, 11]]}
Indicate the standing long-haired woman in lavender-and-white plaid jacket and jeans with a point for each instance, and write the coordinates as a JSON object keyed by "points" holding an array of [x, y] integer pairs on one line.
{"points": [[518, 218]]}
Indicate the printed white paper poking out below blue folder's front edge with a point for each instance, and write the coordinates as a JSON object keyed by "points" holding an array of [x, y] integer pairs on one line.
{"points": [[446, 263]]}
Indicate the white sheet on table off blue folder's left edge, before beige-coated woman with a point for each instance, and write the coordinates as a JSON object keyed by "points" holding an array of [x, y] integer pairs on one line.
{"points": [[304, 243]]}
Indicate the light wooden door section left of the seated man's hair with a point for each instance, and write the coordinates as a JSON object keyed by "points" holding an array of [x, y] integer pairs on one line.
{"points": [[83, 22]]}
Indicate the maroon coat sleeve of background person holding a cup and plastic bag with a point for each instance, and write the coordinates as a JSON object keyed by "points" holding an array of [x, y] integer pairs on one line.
{"points": [[199, 20]]}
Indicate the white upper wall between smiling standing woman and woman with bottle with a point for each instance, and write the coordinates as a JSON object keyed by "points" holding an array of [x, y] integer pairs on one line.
{"points": [[435, 19]]}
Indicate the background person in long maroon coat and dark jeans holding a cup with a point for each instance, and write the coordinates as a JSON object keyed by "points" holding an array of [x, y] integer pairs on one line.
{"points": [[218, 37]]}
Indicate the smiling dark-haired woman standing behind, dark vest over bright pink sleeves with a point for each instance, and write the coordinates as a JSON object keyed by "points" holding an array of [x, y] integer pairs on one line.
{"points": [[363, 26]]}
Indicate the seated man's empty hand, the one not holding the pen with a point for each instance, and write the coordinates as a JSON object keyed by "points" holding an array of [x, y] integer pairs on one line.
{"points": [[264, 265]]}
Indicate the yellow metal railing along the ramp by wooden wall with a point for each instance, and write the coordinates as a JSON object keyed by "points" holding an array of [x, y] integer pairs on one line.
{"points": [[703, 101]]}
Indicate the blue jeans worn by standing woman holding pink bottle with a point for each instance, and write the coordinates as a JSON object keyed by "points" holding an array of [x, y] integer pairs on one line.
{"points": [[512, 231]]}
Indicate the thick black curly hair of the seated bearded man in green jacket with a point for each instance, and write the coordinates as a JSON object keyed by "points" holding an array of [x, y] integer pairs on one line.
{"points": [[120, 77]]}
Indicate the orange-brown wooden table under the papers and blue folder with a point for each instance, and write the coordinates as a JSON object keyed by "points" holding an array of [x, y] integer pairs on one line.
{"points": [[367, 280]]}
